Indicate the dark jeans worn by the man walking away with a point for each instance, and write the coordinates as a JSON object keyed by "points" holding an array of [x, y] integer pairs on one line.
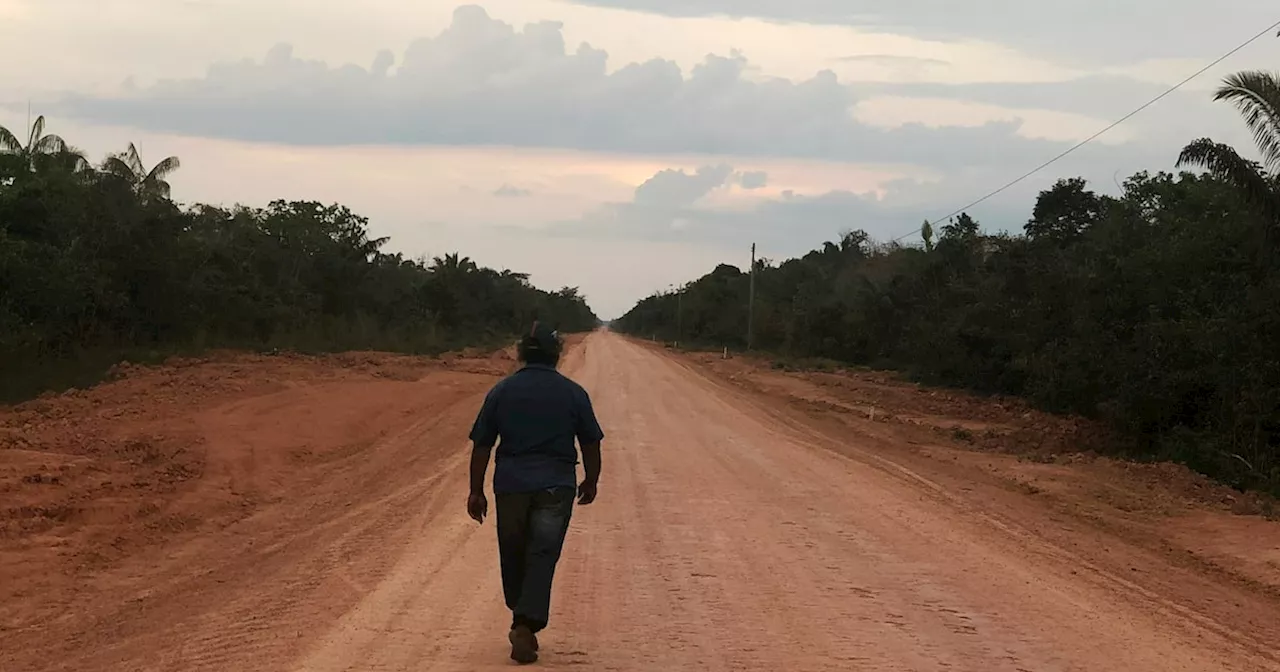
{"points": [[532, 529]]}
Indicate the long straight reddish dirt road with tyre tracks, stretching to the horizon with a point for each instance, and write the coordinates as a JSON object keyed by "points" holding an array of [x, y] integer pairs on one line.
{"points": [[729, 537]]}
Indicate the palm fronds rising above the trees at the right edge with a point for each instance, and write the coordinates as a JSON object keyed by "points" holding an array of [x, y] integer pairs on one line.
{"points": [[1258, 95]]}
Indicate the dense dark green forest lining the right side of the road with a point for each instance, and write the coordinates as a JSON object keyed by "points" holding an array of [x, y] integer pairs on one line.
{"points": [[1156, 310]]}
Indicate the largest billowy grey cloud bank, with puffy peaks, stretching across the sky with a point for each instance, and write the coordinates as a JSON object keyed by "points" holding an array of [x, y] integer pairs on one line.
{"points": [[483, 83]]}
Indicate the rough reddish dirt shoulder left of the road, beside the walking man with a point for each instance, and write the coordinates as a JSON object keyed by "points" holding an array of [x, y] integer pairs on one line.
{"points": [[106, 490]]}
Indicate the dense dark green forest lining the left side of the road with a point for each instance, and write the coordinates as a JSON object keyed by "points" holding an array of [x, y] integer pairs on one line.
{"points": [[98, 263]]}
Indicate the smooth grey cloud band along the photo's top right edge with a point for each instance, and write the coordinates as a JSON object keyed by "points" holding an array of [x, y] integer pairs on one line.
{"points": [[1085, 31]]}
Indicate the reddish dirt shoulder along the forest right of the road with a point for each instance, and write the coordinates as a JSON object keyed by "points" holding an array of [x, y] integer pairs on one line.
{"points": [[1037, 459]]}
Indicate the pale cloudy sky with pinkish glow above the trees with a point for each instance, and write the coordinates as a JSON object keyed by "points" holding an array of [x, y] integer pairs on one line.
{"points": [[628, 147]]}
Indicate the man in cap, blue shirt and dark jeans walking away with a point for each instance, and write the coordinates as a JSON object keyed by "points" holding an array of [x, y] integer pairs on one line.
{"points": [[534, 417]]}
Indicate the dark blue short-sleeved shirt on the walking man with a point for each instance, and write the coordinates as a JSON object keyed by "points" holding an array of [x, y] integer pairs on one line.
{"points": [[537, 413]]}
